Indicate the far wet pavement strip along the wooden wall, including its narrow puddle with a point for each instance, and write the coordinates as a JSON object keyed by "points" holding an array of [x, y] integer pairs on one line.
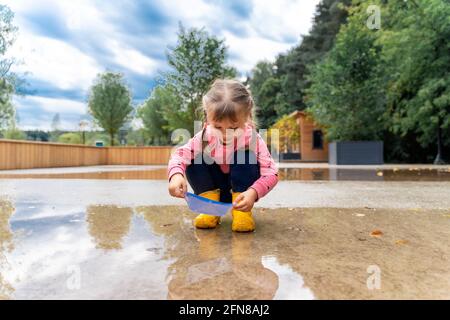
{"points": [[316, 172]]}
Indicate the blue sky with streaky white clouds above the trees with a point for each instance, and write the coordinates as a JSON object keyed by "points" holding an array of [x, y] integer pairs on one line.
{"points": [[62, 45]]}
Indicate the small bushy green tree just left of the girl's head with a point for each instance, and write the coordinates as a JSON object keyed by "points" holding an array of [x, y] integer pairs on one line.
{"points": [[163, 103]]}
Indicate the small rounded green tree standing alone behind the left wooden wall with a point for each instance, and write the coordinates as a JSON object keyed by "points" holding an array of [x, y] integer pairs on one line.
{"points": [[110, 102]]}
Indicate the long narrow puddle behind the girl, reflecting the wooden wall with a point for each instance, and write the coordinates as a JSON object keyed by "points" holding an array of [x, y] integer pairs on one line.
{"points": [[303, 174]]}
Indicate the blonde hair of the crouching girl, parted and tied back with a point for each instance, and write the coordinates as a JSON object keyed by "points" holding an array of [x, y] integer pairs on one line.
{"points": [[228, 99]]}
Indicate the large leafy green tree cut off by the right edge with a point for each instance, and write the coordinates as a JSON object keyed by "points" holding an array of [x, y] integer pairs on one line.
{"points": [[416, 49]]}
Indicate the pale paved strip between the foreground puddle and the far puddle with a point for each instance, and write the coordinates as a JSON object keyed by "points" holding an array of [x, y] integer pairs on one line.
{"points": [[337, 194]]}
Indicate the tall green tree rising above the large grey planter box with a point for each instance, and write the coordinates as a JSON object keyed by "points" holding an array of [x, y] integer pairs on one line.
{"points": [[347, 93]]}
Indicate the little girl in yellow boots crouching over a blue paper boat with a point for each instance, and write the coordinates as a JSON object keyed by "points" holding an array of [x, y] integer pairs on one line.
{"points": [[227, 160]]}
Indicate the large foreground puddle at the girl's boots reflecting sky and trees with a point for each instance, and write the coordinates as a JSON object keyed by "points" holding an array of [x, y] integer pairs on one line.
{"points": [[153, 252]]}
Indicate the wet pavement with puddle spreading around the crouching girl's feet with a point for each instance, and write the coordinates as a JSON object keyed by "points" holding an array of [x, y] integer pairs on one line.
{"points": [[86, 238]]}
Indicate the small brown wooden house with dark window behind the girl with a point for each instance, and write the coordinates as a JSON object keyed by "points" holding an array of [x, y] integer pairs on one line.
{"points": [[313, 146]]}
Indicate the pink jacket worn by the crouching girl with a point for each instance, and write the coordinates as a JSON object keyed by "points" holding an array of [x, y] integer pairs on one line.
{"points": [[223, 155]]}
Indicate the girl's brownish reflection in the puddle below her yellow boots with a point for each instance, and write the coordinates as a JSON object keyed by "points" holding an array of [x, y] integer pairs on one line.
{"points": [[210, 264]]}
